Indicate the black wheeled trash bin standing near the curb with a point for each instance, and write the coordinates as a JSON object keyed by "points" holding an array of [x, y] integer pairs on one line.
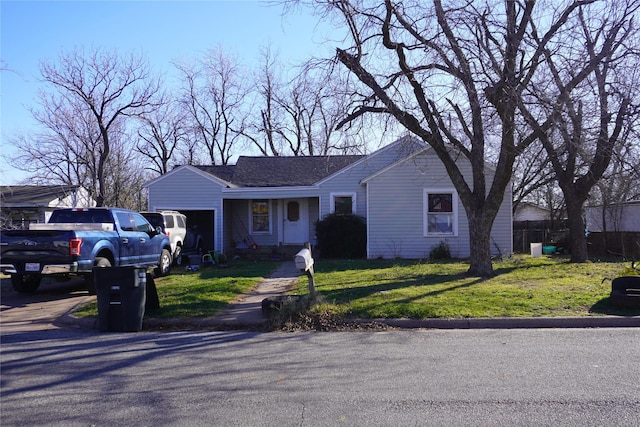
{"points": [[121, 293]]}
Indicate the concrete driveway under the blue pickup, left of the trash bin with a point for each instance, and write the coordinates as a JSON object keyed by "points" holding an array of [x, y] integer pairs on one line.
{"points": [[39, 311]]}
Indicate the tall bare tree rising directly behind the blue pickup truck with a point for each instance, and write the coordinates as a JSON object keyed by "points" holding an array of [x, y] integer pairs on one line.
{"points": [[90, 96]]}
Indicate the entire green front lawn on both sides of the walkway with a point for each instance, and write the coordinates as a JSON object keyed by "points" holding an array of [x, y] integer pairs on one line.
{"points": [[523, 287]]}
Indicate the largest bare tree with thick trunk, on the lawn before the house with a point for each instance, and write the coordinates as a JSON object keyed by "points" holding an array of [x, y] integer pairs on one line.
{"points": [[453, 75]]}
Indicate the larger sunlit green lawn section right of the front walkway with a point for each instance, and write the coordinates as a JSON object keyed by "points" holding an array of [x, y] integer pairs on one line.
{"points": [[523, 287]]}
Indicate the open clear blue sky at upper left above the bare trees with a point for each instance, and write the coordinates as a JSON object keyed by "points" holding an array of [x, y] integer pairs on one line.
{"points": [[32, 31]]}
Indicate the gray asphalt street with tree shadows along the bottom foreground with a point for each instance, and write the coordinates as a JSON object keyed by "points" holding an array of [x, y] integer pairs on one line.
{"points": [[560, 377]]}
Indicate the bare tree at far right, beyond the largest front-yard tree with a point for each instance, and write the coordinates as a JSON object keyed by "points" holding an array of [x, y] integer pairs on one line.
{"points": [[589, 115]]}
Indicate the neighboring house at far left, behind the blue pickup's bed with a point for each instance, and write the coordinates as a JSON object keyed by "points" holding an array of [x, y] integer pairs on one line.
{"points": [[24, 204]]}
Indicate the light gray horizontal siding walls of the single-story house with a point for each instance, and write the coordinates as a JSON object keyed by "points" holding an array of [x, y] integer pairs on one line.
{"points": [[391, 199]]}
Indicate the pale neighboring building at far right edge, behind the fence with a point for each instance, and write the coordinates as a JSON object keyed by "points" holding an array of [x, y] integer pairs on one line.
{"points": [[618, 217]]}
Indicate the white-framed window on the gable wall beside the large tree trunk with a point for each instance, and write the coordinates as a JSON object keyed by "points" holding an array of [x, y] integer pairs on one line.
{"points": [[441, 213]]}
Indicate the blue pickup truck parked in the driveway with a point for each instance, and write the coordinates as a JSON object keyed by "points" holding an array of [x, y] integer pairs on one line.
{"points": [[74, 241]]}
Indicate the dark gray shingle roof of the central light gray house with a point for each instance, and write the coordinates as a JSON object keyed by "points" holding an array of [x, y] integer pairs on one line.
{"points": [[280, 171]]}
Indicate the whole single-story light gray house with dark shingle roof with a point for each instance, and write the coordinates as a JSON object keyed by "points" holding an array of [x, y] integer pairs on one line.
{"points": [[402, 190]]}
